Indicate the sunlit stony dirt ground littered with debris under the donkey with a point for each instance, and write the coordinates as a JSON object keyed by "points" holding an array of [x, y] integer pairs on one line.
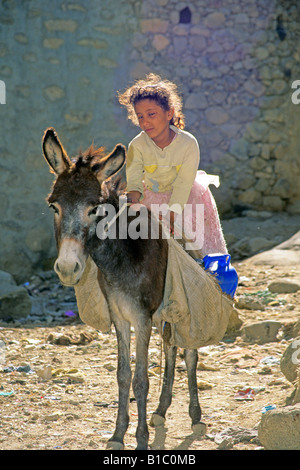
{"points": [[65, 395]]}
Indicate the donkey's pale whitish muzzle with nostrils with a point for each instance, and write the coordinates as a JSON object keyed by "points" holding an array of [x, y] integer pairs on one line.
{"points": [[70, 263]]}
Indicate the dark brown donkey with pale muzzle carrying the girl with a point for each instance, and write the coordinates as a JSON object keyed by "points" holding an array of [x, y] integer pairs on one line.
{"points": [[131, 275]]}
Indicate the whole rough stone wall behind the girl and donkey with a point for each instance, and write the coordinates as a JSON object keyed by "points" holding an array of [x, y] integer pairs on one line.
{"points": [[62, 62]]}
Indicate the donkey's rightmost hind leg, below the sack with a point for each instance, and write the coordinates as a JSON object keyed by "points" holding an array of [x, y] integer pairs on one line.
{"points": [[191, 359]]}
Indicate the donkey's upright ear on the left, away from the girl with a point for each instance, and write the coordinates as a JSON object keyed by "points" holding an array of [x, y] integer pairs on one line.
{"points": [[54, 152]]}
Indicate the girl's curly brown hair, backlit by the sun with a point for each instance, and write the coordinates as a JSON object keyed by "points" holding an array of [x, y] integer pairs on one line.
{"points": [[163, 92]]}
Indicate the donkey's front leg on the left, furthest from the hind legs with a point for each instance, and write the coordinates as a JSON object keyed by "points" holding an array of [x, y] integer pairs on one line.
{"points": [[124, 381]]}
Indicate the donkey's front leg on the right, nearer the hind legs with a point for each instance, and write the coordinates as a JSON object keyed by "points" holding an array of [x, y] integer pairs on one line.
{"points": [[140, 382]]}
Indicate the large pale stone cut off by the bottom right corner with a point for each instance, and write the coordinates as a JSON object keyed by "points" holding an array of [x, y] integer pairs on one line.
{"points": [[279, 429]]}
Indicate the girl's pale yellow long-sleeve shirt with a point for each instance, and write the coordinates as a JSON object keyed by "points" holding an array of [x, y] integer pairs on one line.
{"points": [[173, 168]]}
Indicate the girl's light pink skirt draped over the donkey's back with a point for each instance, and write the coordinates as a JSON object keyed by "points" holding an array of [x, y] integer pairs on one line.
{"points": [[199, 221]]}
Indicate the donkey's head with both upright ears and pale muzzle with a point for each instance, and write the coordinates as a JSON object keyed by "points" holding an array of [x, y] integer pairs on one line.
{"points": [[75, 198]]}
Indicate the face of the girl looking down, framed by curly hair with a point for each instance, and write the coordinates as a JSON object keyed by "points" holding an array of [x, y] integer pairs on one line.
{"points": [[153, 119]]}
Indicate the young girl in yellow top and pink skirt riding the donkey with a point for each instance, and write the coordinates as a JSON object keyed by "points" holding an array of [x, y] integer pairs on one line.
{"points": [[163, 160]]}
